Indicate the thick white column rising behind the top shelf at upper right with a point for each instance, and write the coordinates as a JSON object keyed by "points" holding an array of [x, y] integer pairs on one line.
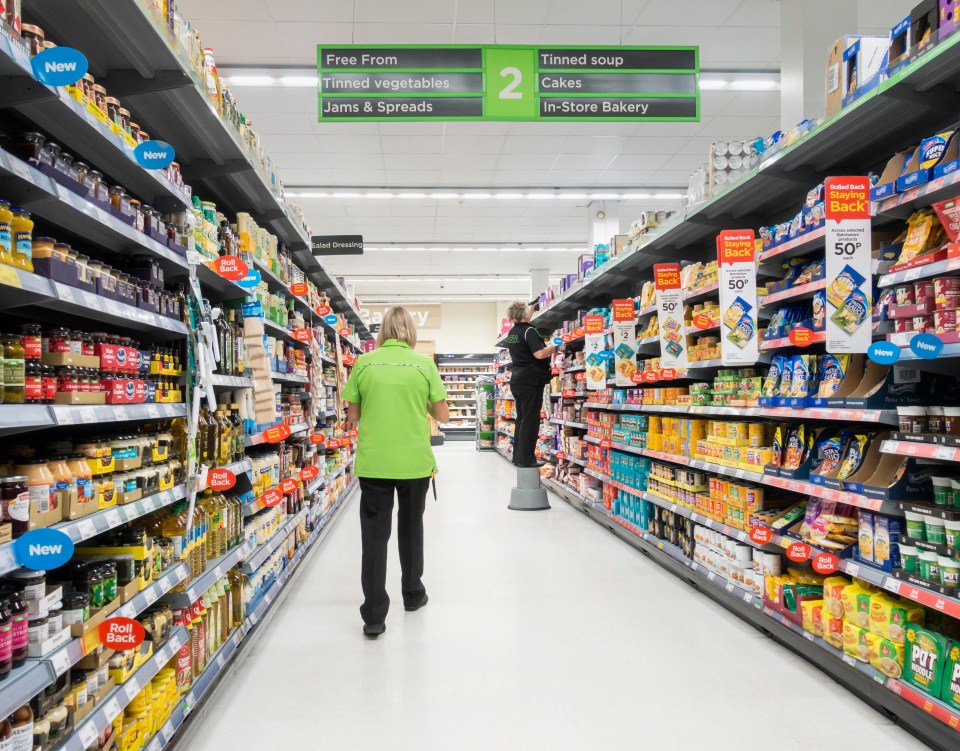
{"points": [[808, 29]]}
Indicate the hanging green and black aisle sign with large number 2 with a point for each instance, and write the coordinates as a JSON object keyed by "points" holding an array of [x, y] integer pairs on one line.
{"points": [[506, 82]]}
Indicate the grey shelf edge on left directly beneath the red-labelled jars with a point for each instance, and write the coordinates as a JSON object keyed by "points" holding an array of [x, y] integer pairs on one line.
{"points": [[18, 418]]}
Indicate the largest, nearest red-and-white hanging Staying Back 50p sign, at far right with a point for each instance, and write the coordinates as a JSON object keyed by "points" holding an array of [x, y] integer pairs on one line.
{"points": [[849, 276]]}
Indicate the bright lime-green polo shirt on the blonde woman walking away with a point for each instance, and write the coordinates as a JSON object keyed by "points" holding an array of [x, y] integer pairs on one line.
{"points": [[392, 385]]}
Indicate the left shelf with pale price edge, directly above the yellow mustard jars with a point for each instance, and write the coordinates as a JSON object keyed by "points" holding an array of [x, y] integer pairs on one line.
{"points": [[63, 208]]}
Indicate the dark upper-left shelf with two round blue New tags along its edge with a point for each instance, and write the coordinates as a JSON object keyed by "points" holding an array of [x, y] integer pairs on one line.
{"points": [[64, 118]]}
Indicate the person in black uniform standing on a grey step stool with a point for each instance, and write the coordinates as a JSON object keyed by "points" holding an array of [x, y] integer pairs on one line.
{"points": [[530, 373]]}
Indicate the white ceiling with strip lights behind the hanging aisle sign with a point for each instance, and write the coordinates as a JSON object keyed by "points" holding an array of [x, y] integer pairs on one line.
{"points": [[259, 35]]}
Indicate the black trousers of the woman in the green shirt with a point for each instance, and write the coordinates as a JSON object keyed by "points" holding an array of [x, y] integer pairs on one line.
{"points": [[376, 517]]}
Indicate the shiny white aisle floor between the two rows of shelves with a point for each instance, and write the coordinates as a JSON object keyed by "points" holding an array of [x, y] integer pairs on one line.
{"points": [[542, 632]]}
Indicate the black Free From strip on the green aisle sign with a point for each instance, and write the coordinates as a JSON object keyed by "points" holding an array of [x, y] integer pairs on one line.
{"points": [[400, 58]]}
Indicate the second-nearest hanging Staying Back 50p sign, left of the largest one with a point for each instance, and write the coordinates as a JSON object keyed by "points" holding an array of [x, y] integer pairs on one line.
{"points": [[736, 258]]}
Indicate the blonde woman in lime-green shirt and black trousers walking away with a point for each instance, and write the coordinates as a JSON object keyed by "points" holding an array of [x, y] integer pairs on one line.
{"points": [[391, 392]]}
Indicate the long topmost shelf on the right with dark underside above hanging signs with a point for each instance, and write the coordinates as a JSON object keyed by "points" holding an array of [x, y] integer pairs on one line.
{"points": [[851, 142]]}
